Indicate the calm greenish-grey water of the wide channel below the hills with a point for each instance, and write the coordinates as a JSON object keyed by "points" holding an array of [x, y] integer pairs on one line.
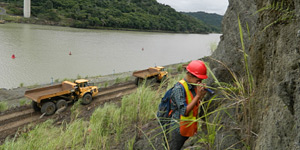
{"points": [[42, 52]]}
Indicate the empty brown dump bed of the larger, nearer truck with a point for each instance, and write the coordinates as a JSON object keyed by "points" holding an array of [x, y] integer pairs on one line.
{"points": [[50, 91]]}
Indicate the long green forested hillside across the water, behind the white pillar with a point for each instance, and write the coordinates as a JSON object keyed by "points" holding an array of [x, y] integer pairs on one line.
{"points": [[130, 14]]}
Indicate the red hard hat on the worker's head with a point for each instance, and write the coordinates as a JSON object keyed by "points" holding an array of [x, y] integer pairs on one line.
{"points": [[197, 68]]}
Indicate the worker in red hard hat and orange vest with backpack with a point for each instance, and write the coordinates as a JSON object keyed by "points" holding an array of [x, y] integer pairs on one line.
{"points": [[186, 103]]}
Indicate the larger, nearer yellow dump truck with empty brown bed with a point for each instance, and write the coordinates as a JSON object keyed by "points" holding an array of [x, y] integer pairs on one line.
{"points": [[56, 97]]}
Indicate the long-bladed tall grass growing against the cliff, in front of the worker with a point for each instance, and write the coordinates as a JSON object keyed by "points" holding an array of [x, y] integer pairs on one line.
{"points": [[238, 95]]}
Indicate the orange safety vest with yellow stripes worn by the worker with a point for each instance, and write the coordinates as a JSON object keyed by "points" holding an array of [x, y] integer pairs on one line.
{"points": [[188, 124]]}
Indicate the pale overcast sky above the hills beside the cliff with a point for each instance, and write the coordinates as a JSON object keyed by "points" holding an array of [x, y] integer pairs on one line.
{"points": [[209, 6]]}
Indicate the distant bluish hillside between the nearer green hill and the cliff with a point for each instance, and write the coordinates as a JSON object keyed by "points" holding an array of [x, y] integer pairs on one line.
{"points": [[212, 20]]}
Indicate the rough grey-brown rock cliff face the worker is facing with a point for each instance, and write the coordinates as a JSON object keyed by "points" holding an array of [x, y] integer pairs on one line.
{"points": [[272, 43]]}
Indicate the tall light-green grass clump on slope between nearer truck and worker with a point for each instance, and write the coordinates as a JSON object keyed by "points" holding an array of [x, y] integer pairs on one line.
{"points": [[136, 109]]}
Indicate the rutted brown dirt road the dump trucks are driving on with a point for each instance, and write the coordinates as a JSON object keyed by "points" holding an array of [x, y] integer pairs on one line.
{"points": [[13, 121]]}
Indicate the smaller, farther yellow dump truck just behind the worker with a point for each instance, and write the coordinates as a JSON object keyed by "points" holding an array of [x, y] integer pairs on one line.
{"points": [[156, 73]]}
